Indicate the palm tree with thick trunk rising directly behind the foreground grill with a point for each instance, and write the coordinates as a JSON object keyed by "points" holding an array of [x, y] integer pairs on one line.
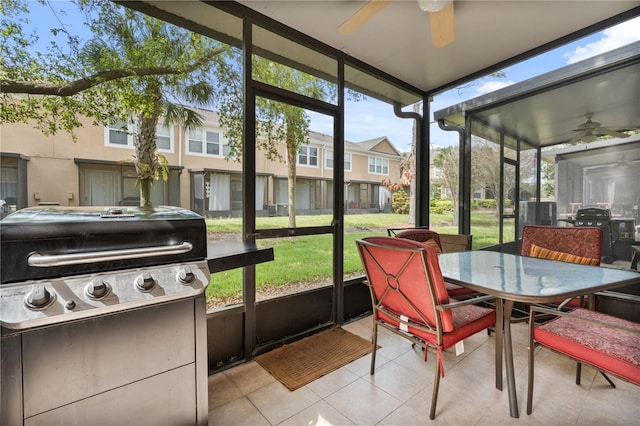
{"points": [[181, 62]]}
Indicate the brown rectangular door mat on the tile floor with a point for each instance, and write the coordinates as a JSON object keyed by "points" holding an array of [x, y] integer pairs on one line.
{"points": [[306, 360]]}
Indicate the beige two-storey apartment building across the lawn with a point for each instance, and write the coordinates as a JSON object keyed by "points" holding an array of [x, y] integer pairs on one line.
{"points": [[97, 170]]}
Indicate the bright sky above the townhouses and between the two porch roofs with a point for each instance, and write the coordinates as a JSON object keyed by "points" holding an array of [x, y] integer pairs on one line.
{"points": [[371, 119]]}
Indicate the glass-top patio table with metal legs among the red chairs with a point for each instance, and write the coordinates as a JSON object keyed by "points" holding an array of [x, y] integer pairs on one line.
{"points": [[513, 278]]}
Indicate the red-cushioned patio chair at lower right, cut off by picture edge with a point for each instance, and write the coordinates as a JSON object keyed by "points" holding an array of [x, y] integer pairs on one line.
{"points": [[603, 341]]}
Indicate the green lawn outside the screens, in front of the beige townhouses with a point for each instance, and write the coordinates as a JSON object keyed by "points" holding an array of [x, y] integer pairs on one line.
{"points": [[310, 258]]}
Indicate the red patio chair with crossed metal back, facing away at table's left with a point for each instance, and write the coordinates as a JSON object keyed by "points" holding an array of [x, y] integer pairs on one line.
{"points": [[409, 298]]}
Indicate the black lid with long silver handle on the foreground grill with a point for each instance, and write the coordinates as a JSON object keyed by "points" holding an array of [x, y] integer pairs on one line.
{"points": [[53, 241]]}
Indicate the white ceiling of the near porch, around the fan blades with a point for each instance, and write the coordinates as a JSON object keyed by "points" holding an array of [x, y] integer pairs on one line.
{"points": [[398, 40]]}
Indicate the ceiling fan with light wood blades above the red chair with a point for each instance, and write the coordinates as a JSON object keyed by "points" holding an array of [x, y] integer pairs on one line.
{"points": [[441, 19]]}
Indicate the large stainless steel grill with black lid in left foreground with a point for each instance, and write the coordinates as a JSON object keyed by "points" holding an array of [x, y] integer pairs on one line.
{"points": [[102, 313]]}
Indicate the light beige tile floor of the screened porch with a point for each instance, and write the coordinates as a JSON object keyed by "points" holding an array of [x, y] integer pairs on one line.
{"points": [[400, 391]]}
